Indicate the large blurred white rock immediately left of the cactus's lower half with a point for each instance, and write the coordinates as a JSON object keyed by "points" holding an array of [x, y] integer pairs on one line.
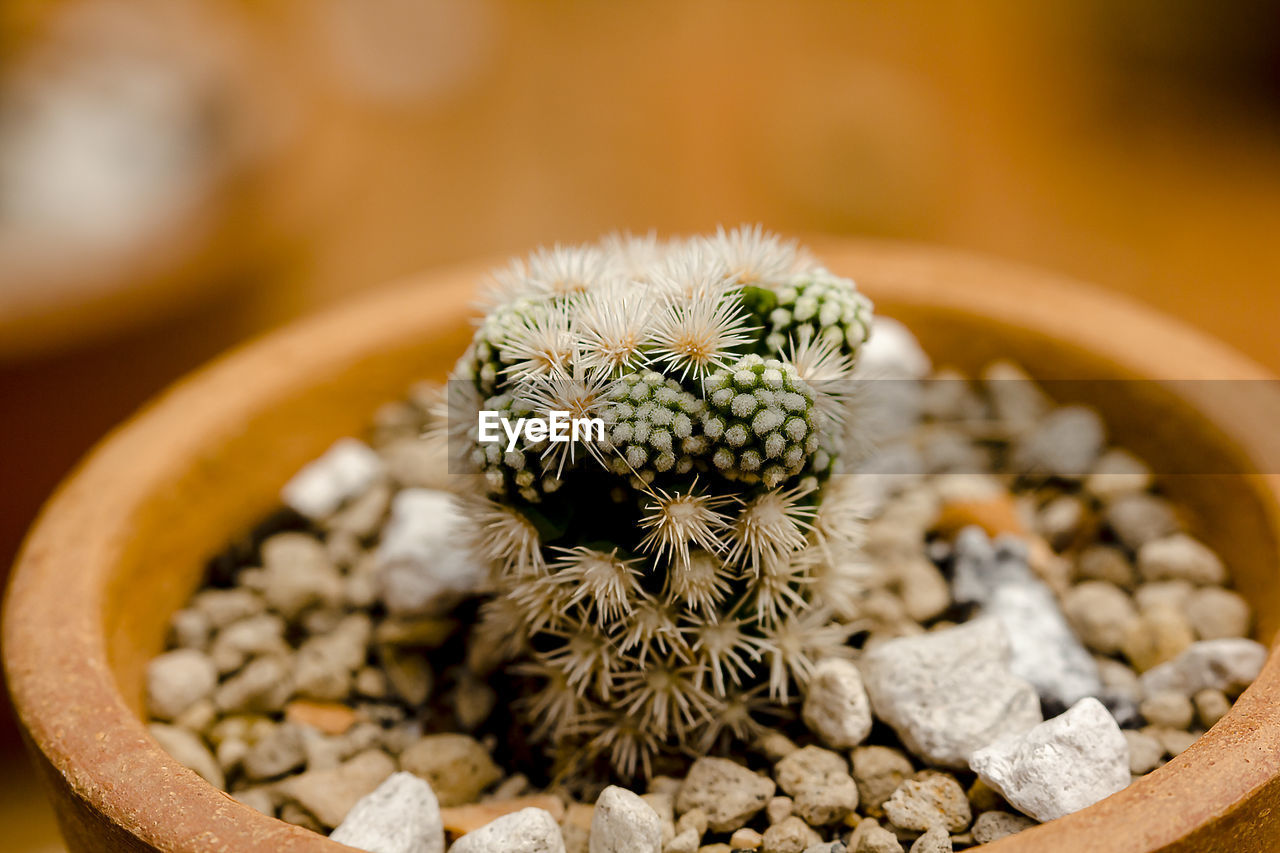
{"points": [[424, 560]]}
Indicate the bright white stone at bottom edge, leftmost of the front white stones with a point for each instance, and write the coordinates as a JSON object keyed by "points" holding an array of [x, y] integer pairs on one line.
{"points": [[400, 816]]}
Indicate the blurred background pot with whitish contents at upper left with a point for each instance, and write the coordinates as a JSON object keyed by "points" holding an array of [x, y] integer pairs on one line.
{"points": [[135, 144]]}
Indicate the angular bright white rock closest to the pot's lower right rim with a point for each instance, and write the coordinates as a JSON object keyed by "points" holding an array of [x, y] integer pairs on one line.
{"points": [[1062, 765]]}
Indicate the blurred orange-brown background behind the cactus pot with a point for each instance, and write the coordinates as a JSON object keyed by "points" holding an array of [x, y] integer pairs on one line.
{"points": [[177, 176]]}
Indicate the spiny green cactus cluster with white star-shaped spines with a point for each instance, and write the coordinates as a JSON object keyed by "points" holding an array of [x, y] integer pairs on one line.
{"points": [[664, 587]]}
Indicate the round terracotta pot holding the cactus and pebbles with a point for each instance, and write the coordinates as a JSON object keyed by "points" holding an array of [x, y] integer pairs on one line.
{"points": [[124, 542]]}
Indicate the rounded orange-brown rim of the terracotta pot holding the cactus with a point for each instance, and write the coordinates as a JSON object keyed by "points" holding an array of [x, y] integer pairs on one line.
{"points": [[75, 715]]}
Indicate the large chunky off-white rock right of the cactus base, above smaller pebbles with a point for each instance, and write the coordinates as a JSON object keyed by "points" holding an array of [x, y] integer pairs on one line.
{"points": [[949, 692]]}
